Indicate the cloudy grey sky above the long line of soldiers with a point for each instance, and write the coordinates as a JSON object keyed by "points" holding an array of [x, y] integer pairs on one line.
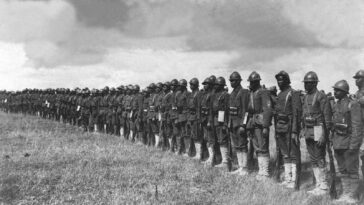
{"points": [[69, 43]]}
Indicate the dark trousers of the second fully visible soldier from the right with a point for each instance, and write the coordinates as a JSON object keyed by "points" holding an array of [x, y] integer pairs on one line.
{"points": [[317, 153]]}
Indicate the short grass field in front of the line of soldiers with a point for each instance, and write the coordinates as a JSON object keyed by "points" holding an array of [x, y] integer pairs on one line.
{"points": [[45, 162]]}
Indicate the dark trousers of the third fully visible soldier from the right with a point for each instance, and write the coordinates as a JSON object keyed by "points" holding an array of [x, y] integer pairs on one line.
{"points": [[287, 146]]}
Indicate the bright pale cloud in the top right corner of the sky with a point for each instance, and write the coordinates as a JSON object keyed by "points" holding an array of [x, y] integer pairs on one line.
{"points": [[335, 23]]}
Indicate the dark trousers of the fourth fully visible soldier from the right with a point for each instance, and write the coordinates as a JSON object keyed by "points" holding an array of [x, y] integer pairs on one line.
{"points": [[260, 142]]}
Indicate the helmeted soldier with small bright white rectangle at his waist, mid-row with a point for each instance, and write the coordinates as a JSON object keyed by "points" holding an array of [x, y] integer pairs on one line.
{"points": [[219, 121]]}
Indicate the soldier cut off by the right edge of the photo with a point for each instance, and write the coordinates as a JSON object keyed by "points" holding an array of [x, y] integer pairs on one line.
{"points": [[359, 81]]}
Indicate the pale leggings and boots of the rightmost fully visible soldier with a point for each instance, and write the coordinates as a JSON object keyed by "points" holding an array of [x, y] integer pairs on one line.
{"points": [[349, 188]]}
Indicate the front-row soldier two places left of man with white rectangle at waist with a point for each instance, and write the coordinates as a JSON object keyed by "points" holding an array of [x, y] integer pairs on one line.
{"points": [[193, 124]]}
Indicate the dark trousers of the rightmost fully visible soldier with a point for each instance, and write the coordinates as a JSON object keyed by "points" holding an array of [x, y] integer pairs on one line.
{"points": [[348, 162]]}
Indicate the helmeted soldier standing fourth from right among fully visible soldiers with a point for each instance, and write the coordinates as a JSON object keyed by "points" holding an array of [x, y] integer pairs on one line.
{"points": [[260, 117]]}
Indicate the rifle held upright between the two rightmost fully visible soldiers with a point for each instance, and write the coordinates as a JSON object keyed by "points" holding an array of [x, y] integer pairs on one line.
{"points": [[332, 185]]}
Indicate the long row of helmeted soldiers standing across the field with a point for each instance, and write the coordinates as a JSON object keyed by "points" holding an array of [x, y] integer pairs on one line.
{"points": [[168, 116]]}
